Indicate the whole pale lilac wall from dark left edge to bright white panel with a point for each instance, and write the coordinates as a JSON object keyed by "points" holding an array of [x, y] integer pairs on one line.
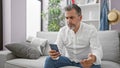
{"points": [[14, 21]]}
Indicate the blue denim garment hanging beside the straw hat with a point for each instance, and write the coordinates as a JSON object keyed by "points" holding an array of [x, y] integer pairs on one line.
{"points": [[104, 25]]}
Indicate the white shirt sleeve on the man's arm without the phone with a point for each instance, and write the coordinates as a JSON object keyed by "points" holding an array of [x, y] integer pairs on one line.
{"points": [[96, 47]]}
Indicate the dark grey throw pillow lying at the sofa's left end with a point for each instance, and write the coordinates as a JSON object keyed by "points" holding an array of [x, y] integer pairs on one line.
{"points": [[23, 50]]}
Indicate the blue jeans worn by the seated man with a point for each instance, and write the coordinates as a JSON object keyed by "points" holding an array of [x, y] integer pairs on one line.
{"points": [[63, 61]]}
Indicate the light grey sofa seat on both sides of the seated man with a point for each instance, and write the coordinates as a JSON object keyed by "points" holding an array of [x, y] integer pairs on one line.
{"points": [[39, 63]]}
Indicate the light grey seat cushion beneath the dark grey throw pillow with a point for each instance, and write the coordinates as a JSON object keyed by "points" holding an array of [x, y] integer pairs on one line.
{"points": [[26, 63]]}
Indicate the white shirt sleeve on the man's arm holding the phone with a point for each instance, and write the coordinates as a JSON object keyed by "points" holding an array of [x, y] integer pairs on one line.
{"points": [[59, 42]]}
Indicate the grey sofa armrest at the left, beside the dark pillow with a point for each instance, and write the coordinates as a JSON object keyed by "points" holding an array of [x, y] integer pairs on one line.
{"points": [[4, 56]]}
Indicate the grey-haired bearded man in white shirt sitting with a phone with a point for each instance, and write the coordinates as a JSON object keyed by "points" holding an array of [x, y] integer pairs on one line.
{"points": [[78, 43]]}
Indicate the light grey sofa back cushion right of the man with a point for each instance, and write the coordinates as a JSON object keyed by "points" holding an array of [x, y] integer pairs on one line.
{"points": [[110, 44]]}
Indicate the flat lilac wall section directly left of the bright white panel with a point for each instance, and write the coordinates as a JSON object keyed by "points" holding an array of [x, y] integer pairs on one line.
{"points": [[18, 20]]}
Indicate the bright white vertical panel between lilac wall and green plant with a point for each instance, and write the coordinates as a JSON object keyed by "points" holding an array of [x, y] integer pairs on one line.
{"points": [[33, 17]]}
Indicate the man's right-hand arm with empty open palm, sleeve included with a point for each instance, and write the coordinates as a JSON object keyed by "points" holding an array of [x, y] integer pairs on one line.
{"points": [[96, 55]]}
